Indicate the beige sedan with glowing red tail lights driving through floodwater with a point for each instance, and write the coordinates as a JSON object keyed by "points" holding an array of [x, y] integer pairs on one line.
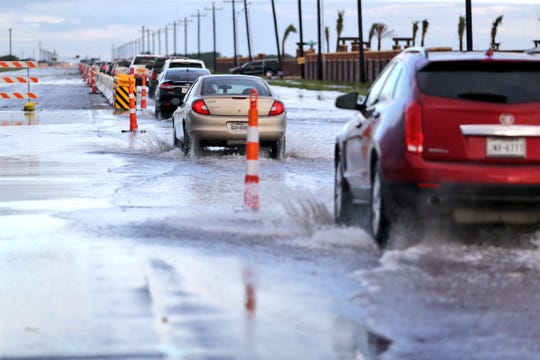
{"points": [[214, 112]]}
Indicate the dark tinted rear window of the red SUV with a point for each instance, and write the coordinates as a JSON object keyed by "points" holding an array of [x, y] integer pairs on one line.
{"points": [[487, 81]]}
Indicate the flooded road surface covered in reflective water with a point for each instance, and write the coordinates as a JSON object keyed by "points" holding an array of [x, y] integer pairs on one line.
{"points": [[116, 245]]}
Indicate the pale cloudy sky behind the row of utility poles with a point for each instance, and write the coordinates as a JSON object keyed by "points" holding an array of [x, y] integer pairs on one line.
{"points": [[92, 28]]}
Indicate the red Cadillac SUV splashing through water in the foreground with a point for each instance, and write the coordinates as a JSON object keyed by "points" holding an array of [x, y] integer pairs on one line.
{"points": [[452, 134]]}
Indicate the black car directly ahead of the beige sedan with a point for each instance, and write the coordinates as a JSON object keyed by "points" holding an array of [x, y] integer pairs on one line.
{"points": [[172, 86]]}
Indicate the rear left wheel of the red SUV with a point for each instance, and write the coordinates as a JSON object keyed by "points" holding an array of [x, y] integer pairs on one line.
{"points": [[378, 216]]}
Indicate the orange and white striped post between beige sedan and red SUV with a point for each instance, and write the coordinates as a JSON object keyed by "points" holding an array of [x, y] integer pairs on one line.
{"points": [[251, 190]]}
